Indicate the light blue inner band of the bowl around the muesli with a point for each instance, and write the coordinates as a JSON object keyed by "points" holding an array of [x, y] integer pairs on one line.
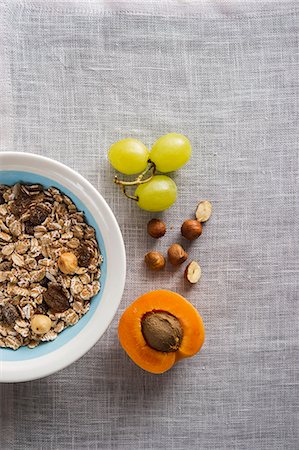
{"points": [[11, 177]]}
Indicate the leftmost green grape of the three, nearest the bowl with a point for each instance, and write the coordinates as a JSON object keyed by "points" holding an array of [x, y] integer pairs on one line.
{"points": [[128, 156]]}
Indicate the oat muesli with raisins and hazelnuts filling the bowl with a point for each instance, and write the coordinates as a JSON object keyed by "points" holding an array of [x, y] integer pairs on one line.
{"points": [[49, 264]]}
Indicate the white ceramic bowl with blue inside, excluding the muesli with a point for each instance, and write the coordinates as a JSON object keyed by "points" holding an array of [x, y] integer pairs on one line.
{"points": [[28, 364]]}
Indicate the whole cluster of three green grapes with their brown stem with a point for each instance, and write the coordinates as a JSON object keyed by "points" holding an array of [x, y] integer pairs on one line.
{"points": [[153, 191]]}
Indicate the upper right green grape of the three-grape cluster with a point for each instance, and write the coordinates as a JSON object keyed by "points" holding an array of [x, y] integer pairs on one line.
{"points": [[170, 152]]}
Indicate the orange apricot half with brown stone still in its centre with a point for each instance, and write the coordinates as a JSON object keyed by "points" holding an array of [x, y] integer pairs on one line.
{"points": [[160, 328]]}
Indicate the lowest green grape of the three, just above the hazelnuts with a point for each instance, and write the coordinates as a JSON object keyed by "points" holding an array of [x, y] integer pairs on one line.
{"points": [[157, 194]]}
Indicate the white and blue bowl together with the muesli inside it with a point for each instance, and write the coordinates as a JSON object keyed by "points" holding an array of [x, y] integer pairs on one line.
{"points": [[62, 266]]}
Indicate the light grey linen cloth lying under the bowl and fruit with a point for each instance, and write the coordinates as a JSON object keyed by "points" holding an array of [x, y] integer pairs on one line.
{"points": [[77, 76]]}
